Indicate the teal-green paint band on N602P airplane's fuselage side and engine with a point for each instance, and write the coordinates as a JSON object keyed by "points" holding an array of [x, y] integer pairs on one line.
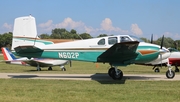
{"points": [[91, 55]]}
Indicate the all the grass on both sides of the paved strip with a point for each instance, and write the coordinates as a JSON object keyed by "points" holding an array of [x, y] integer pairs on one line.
{"points": [[39, 90]]}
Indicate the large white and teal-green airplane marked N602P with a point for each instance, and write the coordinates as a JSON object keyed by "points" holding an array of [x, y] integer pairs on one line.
{"points": [[120, 50]]}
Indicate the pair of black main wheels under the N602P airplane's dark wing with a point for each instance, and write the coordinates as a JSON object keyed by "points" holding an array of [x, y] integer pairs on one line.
{"points": [[115, 73]]}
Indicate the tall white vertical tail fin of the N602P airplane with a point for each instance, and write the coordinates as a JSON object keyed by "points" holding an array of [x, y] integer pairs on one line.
{"points": [[25, 33]]}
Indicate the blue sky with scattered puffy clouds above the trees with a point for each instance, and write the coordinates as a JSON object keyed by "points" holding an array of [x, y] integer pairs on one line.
{"points": [[112, 17]]}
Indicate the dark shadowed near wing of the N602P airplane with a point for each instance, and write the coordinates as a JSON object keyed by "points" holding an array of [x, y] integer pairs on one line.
{"points": [[120, 53]]}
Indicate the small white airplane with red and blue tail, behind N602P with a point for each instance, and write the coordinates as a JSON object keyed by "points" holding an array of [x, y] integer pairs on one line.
{"points": [[36, 62]]}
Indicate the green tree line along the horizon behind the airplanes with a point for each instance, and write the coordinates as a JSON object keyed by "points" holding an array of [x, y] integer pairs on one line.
{"points": [[62, 33]]}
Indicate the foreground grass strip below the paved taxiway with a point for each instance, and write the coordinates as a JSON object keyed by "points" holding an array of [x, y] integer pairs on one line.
{"points": [[30, 90]]}
